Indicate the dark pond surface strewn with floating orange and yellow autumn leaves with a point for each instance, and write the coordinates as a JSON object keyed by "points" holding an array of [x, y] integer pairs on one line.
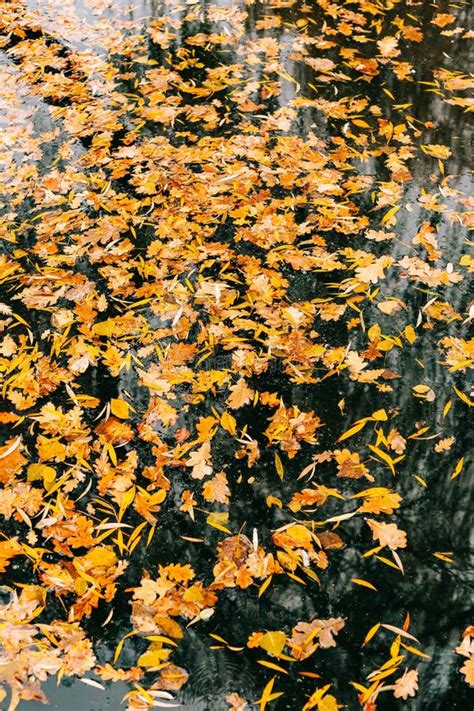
{"points": [[230, 104]]}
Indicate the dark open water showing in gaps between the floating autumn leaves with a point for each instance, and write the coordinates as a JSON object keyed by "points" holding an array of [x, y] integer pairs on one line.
{"points": [[438, 596]]}
